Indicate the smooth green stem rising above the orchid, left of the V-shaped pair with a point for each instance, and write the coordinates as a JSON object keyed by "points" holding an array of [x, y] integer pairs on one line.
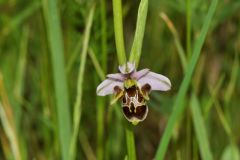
{"points": [[118, 30]]}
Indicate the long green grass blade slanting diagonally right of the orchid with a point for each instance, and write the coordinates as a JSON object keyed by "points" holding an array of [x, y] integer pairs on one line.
{"points": [[178, 107]]}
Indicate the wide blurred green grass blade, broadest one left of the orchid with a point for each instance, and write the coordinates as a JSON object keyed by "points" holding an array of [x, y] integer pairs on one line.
{"points": [[60, 83]]}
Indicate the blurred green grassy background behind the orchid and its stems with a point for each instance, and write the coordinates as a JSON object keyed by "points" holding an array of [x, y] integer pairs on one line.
{"points": [[44, 46]]}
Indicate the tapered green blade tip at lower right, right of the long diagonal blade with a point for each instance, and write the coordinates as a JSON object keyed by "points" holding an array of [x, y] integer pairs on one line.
{"points": [[200, 129]]}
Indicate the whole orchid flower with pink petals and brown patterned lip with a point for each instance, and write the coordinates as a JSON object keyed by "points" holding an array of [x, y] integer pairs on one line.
{"points": [[132, 88]]}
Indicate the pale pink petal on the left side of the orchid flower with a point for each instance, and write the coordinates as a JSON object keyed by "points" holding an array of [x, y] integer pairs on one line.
{"points": [[107, 87]]}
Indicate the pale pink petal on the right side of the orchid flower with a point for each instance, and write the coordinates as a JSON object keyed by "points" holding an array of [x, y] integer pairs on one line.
{"points": [[156, 81]]}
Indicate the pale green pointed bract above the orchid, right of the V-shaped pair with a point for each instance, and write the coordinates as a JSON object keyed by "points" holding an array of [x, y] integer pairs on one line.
{"points": [[139, 33]]}
